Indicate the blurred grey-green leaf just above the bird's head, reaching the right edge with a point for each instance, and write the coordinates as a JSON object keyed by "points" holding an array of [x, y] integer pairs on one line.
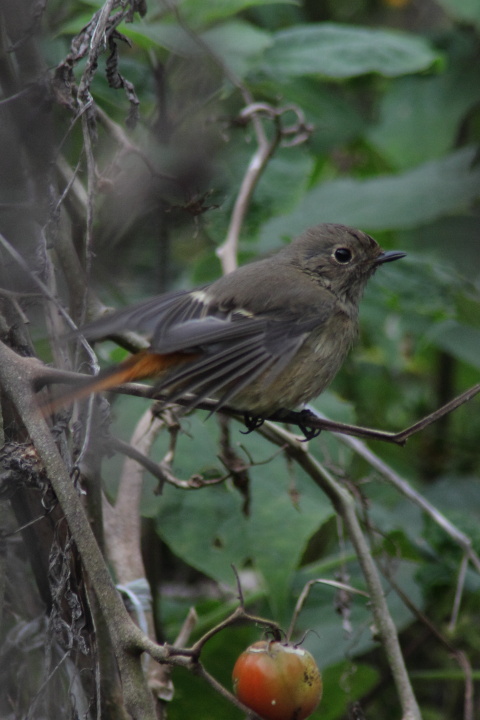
{"points": [[437, 188]]}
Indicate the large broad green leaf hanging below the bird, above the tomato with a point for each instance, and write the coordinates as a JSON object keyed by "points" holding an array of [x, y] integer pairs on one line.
{"points": [[209, 531]]}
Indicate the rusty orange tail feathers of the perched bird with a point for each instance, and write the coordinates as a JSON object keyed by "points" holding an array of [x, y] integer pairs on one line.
{"points": [[141, 366]]}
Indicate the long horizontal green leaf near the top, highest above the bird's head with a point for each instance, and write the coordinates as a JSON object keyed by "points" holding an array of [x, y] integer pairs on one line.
{"points": [[342, 51]]}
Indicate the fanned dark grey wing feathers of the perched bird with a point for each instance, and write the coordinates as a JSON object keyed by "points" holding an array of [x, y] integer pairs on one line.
{"points": [[230, 348]]}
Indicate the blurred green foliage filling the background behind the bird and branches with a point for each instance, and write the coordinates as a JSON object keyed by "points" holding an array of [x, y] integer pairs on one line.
{"points": [[391, 90]]}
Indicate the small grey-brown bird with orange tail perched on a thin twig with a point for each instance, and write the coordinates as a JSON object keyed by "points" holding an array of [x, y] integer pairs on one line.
{"points": [[268, 336]]}
